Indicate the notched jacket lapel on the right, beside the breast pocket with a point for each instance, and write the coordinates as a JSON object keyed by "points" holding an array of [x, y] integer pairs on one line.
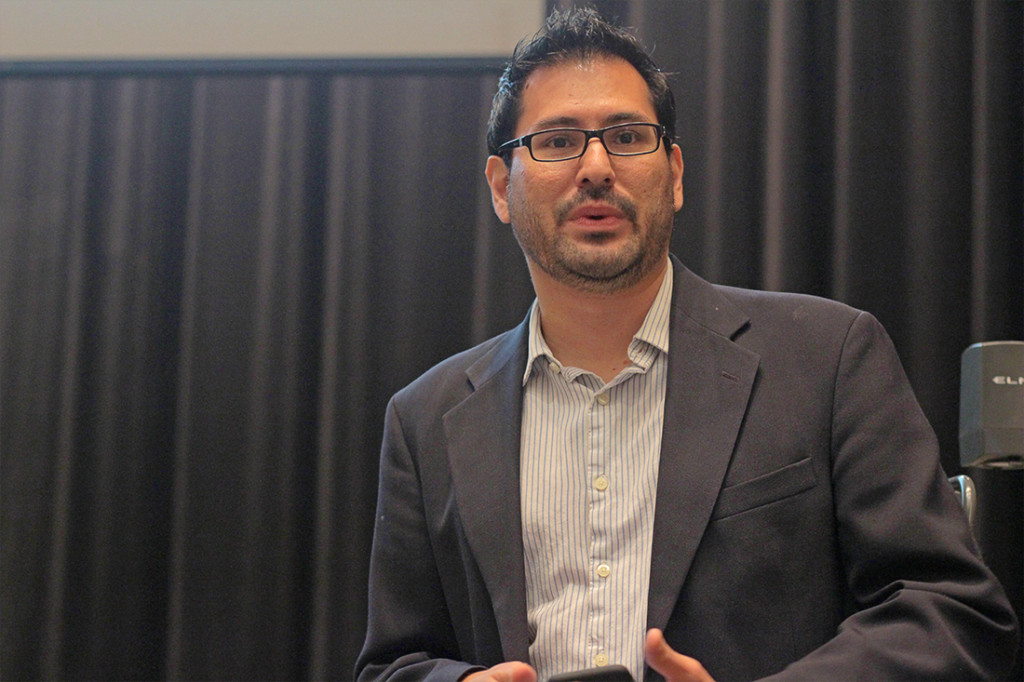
{"points": [[710, 382]]}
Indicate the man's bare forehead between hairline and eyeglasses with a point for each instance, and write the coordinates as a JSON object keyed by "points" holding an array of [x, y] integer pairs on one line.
{"points": [[590, 93]]}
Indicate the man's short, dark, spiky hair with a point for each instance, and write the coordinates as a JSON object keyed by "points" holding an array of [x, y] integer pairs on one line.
{"points": [[580, 33]]}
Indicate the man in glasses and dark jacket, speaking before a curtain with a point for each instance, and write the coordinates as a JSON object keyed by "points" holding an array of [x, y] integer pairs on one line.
{"points": [[690, 481]]}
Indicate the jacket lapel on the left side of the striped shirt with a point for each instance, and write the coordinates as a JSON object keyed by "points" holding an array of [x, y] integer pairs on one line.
{"points": [[484, 445]]}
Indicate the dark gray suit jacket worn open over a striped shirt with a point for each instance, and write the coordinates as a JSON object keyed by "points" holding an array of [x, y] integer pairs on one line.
{"points": [[803, 527]]}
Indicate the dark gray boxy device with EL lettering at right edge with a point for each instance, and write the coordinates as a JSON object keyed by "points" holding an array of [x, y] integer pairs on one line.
{"points": [[992, 416]]}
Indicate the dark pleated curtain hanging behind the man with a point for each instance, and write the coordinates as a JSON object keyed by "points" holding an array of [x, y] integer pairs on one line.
{"points": [[215, 276]]}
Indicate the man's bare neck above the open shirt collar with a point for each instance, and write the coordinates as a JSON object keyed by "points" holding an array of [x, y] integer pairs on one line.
{"points": [[591, 331]]}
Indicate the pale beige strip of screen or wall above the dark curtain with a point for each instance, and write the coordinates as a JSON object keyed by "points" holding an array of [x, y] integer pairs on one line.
{"points": [[32, 30]]}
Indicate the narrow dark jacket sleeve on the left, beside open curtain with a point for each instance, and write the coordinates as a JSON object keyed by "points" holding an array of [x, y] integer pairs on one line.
{"points": [[410, 632]]}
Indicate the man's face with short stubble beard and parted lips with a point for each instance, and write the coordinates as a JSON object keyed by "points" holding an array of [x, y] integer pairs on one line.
{"points": [[599, 224]]}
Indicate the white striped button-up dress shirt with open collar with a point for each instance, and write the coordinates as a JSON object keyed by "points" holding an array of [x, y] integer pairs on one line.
{"points": [[589, 476]]}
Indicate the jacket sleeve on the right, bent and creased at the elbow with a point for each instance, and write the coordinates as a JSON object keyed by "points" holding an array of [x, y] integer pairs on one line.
{"points": [[925, 605]]}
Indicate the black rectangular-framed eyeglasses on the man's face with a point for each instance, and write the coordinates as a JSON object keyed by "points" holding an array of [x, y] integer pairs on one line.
{"points": [[624, 140]]}
